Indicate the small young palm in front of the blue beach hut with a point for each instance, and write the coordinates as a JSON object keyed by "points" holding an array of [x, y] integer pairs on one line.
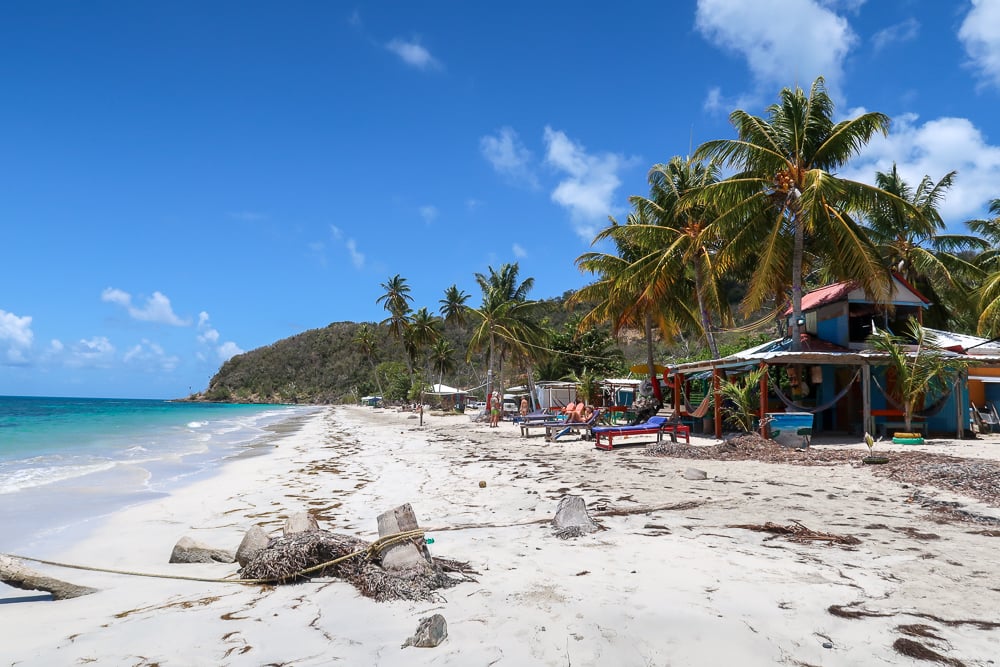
{"points": [[920, 366]]}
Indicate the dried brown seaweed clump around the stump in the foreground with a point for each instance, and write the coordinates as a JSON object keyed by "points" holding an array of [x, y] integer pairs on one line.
{"points": [[285, 558]]}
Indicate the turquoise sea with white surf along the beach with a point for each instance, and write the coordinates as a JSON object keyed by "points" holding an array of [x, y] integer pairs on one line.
{"points": [[65, 462]]}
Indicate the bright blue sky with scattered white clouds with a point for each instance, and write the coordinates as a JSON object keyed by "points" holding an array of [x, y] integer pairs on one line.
{"points": [[183, 181]]}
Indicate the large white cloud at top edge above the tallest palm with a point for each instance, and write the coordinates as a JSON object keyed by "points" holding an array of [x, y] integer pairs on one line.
{"points": [[784, 42]]}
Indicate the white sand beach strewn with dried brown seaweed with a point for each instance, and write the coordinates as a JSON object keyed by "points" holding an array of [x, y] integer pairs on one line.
{"points": [[668, 581]]}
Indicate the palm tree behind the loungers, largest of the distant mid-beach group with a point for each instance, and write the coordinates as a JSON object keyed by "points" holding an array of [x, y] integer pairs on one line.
{"points": [[503, 320]]}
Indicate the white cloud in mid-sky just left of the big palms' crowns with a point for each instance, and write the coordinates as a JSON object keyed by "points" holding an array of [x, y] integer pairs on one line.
{"points": [[589, 181]]}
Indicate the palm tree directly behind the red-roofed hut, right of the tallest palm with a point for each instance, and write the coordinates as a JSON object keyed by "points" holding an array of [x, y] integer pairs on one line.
{"points": [[910, 243]]}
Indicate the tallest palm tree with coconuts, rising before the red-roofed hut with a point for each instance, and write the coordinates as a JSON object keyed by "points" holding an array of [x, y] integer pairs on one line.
{"points": [[785, 194]]}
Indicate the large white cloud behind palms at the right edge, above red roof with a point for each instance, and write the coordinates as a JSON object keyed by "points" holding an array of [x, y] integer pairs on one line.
{"points": [[934, 148]]}
